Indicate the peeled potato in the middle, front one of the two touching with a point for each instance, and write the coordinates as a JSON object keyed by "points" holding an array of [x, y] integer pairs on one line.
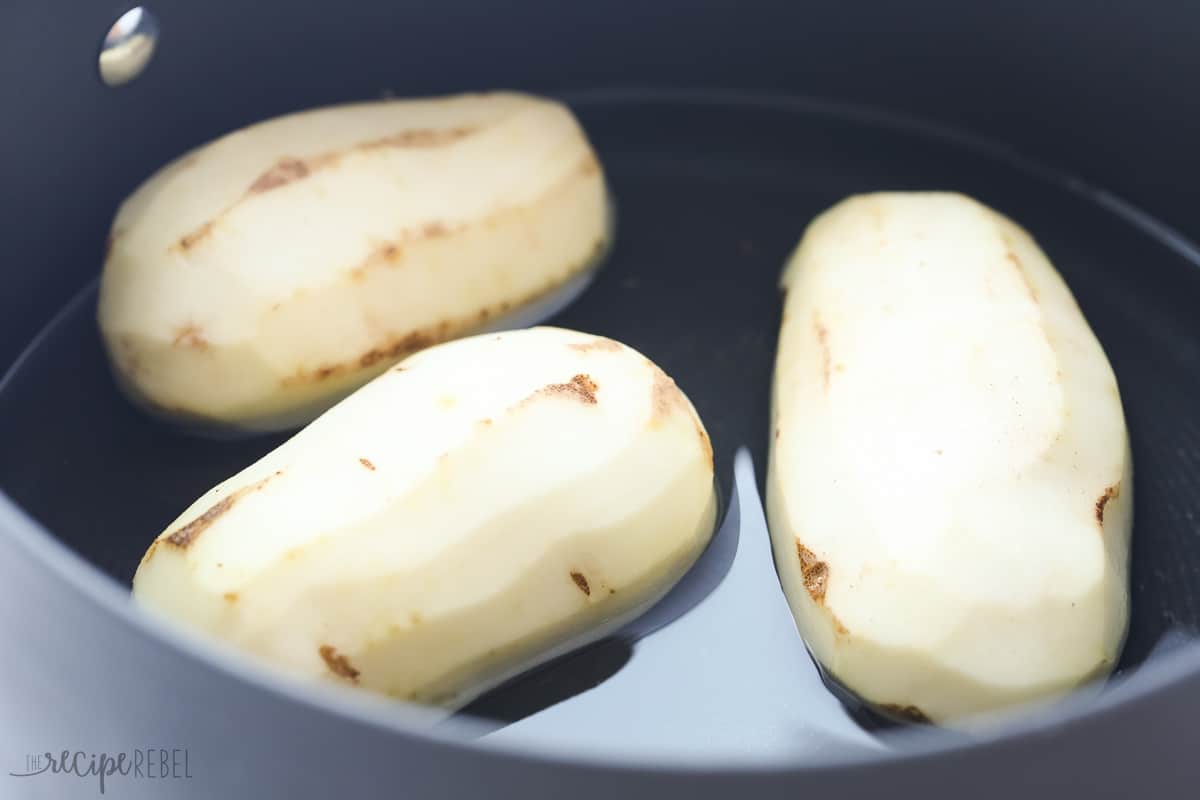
{"points": [[482, 508]]}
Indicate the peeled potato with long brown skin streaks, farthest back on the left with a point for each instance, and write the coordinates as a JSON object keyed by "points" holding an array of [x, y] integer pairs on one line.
{"points": [[260, 279]]}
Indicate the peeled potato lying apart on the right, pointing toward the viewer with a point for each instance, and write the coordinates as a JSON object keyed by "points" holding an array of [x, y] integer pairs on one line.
{"points": [[950, 490]]}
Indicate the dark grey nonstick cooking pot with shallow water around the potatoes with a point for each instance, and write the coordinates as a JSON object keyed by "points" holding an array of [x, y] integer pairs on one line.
{"points": [[724, 128]]}
